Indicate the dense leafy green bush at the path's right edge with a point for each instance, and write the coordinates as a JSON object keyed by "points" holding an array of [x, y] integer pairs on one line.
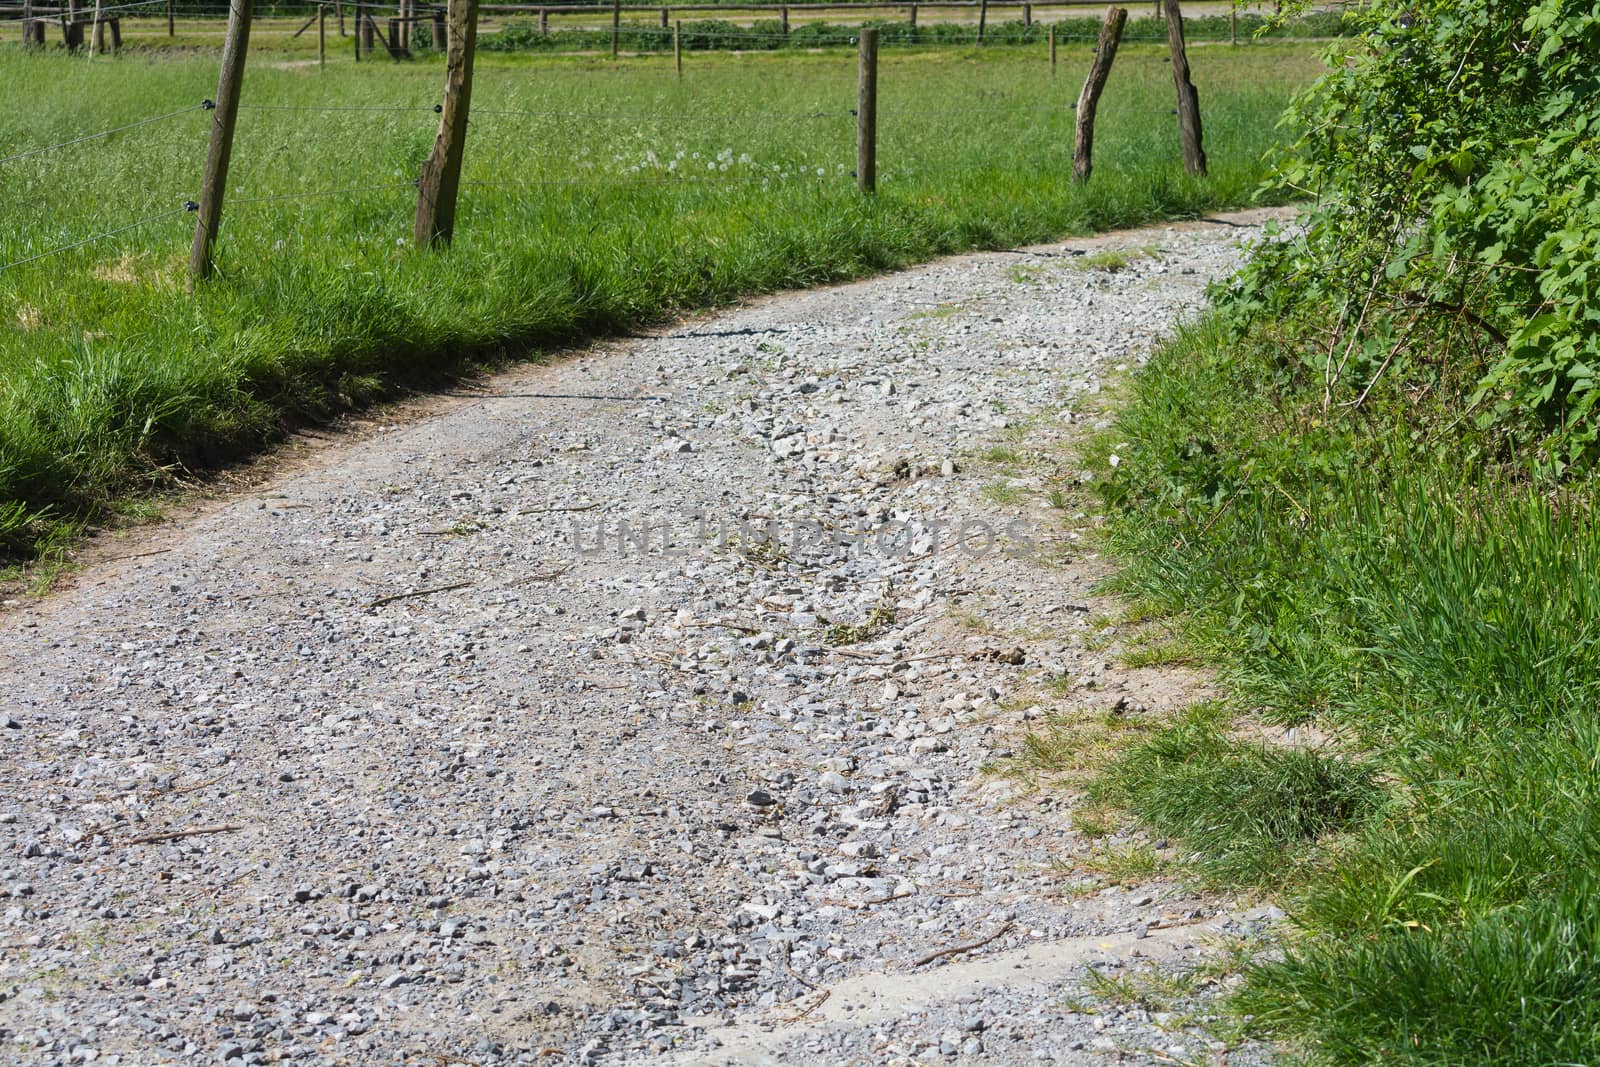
{"points": [[1450, 156]]}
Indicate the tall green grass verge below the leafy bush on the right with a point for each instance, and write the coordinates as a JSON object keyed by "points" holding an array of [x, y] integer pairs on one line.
{"points": [[1385, 577]]}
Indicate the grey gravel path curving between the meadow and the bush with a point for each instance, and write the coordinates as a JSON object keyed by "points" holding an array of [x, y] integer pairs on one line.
{"points": [[633, 709]]}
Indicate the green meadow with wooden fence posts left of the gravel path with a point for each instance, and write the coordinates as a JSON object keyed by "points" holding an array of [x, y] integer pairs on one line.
{"points": [[598, 196]]}
